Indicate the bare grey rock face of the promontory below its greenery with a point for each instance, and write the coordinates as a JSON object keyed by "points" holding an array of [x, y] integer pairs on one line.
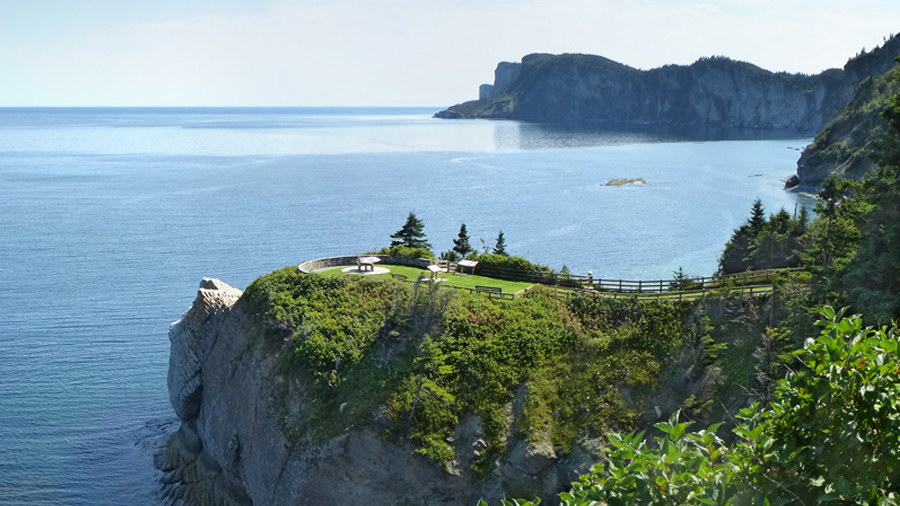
{"points": [[231, 450]]}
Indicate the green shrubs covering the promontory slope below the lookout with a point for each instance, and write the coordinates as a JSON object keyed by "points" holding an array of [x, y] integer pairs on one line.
{"points": [[416, 359]]}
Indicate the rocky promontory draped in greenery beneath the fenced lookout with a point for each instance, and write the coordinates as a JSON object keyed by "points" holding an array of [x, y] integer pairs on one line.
{"points": [[314, 387]]}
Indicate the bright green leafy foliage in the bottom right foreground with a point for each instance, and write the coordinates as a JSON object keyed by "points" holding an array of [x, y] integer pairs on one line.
{"points": [[831, 434]]}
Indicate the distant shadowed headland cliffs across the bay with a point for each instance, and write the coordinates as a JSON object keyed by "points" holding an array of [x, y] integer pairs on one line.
{"points": [[718, 91]]}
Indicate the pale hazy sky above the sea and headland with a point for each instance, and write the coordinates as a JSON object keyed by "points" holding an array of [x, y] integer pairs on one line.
{"points": [[387, 52]]}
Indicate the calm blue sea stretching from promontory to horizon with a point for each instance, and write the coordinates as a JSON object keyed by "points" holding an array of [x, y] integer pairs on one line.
{"points": [[110, 217]]}
